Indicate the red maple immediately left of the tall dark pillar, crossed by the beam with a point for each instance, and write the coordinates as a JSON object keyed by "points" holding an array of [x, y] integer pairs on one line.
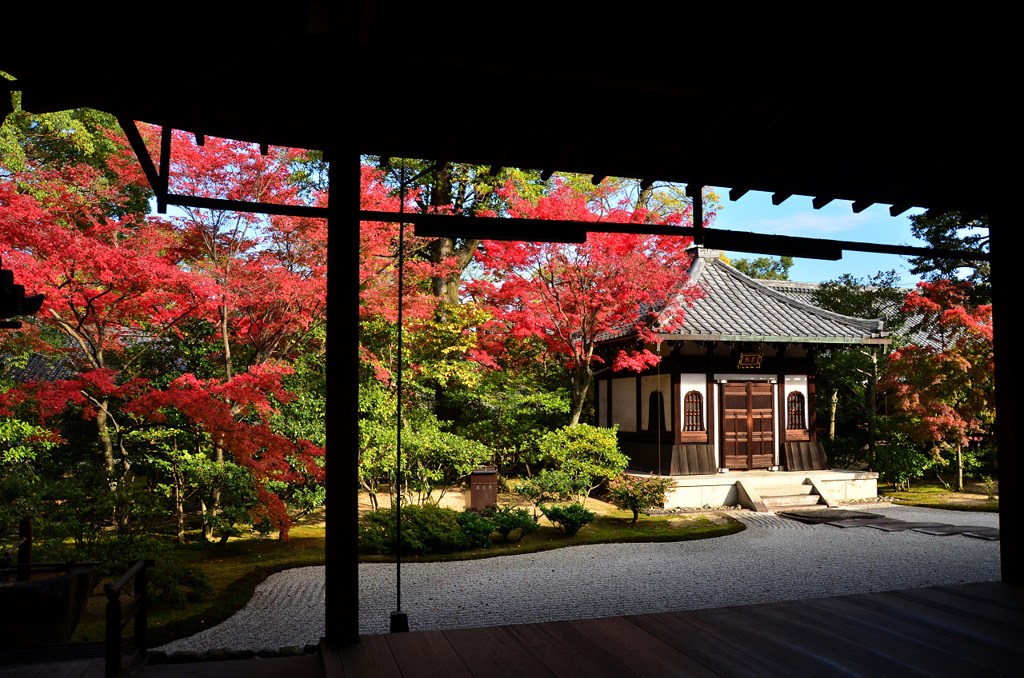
{"points": [[271, 271]]}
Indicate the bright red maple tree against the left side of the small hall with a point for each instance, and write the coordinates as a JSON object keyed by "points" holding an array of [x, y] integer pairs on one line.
{"points": [[572, 296]]}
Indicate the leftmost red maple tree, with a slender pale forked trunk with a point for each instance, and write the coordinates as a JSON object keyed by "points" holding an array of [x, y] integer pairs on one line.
{"points": [[108, 283]]}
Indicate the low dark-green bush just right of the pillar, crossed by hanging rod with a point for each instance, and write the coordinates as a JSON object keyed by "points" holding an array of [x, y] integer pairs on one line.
{"points": [[425, 529]]}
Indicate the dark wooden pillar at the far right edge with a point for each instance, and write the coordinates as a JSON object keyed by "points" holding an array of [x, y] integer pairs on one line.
{"points": [[1004, 281]]}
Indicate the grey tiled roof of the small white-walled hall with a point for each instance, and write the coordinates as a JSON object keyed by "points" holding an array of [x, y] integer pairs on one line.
{"points": [[737, 308]]}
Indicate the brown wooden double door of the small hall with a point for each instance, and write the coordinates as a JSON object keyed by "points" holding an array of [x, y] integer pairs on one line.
{"points": [[748, 426]]}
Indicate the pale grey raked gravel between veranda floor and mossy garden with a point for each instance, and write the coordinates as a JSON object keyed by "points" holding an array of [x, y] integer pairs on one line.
{"points": [[774, 560]]}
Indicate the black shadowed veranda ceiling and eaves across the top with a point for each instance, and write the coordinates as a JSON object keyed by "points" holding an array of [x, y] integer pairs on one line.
{"points": [[906, 107]]}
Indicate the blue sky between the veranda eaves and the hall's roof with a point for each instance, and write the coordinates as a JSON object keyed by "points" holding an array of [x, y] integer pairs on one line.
{"points": [[755, 214]]}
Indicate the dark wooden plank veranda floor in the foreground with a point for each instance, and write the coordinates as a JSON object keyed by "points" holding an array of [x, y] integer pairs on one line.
{"points": [[966, 630]]}
